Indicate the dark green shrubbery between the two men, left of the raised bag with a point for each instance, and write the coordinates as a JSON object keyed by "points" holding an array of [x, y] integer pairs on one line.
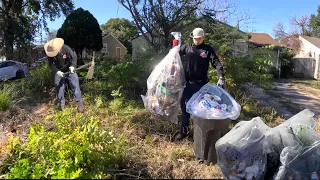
{"points": [[132, 75]]}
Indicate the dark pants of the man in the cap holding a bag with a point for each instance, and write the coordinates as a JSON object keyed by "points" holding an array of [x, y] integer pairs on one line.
{"points": [[189, 90]]}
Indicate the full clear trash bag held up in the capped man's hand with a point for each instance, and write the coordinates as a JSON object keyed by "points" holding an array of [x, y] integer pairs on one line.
{"points": [[165, 85]]}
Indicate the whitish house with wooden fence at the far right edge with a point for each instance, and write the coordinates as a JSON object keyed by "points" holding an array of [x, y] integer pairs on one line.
{"points": [[307, 58]]}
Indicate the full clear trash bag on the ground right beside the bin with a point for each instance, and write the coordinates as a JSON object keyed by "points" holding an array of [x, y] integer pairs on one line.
{"points": [[241, 152]]}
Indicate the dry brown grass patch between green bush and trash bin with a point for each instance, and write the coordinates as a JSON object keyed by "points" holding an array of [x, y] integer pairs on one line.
{"points": [[151, 154]]}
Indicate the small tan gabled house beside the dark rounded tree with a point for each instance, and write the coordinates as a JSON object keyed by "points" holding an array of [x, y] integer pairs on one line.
{"points": [[112, 47]]}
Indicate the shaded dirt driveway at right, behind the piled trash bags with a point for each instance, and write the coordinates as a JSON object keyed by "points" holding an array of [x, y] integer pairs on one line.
{"points": [[288, 99]]}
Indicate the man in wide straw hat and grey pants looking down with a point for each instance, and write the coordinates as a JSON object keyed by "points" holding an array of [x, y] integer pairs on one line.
{"points": [[62, 59]]}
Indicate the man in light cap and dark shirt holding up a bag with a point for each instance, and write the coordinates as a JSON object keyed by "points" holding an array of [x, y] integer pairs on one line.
{"points": [[199, 55]]}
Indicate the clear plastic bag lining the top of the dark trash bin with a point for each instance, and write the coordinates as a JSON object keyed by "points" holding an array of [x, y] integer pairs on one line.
{"points": [[213, 102]]}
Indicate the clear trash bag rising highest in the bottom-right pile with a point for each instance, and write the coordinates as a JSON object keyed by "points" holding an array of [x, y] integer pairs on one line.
{"points": [[295, 133]]}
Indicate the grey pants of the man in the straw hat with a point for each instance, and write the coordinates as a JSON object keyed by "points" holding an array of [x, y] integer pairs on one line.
{"points": [[60, 83]]}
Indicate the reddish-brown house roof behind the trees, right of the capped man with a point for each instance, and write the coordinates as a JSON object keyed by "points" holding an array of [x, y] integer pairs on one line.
{"points": [[262, 39]]}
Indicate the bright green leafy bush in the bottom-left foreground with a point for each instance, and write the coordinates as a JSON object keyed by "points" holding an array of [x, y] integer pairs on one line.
{"points": [[76, 148]]}
